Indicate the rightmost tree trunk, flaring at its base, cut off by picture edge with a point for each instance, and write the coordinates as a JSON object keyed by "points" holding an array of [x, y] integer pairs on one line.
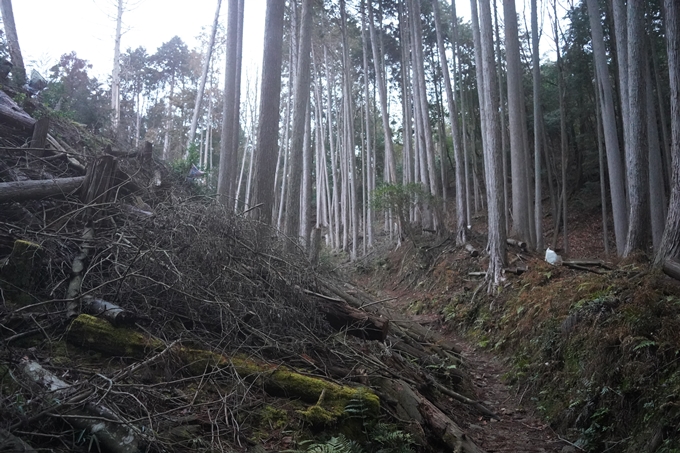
{"points": [[670, 243]]}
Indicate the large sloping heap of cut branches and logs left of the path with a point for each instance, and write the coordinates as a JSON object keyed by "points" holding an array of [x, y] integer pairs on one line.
{"points": [[190, 278]]}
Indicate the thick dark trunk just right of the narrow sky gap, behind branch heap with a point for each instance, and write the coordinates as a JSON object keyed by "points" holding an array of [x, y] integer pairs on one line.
{"points": [[268, 129]]}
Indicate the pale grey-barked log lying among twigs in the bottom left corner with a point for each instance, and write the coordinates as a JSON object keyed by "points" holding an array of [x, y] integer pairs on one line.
{"points": [[113, 434]]}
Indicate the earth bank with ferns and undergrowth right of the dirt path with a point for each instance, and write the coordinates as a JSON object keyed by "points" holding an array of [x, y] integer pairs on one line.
{"points": [[599, 355]]}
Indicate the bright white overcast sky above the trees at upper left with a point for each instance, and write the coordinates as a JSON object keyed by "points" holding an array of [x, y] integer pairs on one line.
{"points": [[48, 29]]}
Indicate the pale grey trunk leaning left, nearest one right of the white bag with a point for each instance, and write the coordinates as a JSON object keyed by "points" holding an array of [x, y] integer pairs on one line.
{"points": [[614, 162]]}
